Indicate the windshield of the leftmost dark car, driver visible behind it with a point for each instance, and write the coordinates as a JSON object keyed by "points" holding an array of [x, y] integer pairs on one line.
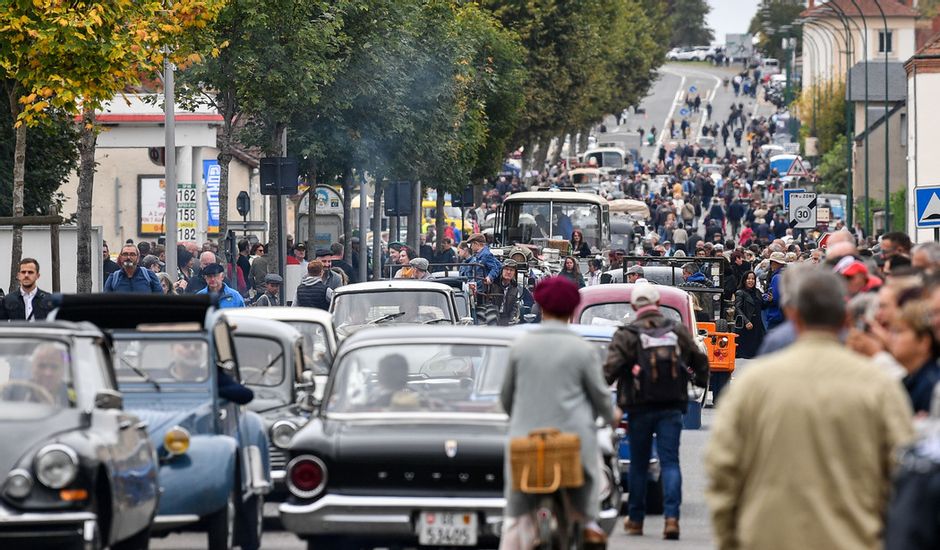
{"points": [[35, 371]]}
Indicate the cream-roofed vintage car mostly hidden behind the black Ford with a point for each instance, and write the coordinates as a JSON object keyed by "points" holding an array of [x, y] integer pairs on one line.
{"points": [[397, 301]]}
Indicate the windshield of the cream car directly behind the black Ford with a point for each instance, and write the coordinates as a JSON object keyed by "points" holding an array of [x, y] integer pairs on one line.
{"points": [[355, 309]]}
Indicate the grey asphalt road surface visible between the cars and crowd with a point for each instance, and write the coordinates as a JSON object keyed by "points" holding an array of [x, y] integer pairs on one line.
{"points": [[665, 100]]}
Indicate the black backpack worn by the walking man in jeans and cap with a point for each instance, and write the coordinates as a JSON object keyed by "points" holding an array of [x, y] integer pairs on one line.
{"points": [[661, 376]]}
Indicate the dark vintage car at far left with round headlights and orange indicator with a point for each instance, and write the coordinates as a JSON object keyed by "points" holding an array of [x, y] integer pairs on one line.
{"points": [[78, 470]]}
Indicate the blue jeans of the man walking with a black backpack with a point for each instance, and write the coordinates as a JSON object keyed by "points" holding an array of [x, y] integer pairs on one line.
{"points": [[667, 425]]}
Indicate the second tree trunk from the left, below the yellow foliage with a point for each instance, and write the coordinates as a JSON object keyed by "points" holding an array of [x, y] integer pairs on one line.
{"points": [[86, 184]]}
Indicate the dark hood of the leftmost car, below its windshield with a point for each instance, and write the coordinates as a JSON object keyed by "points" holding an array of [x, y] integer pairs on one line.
{"points": [[26, 427]]}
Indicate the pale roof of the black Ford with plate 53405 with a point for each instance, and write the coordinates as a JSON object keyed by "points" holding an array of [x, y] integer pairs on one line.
{"points": [[439, 333]]}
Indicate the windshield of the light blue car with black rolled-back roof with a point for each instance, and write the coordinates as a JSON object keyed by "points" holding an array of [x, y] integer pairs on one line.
{"points": [[161, 361]]}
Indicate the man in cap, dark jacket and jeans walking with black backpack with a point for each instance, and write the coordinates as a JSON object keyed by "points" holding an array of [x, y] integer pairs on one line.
{"points": [[652, 360]]}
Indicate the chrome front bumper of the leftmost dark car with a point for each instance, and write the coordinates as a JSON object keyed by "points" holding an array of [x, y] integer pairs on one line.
{"points": [[45, 525]]}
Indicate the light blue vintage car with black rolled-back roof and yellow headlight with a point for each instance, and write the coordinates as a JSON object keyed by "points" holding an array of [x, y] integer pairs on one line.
{"points": [[170, 354]]}
